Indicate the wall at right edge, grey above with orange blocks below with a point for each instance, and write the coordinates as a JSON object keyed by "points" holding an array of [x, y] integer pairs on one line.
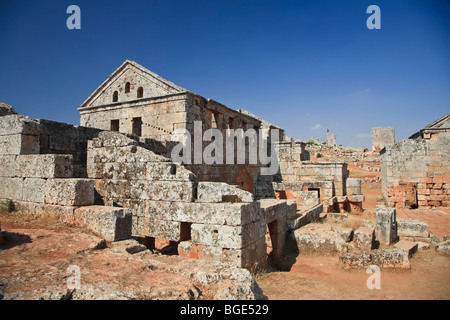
{"points": [[417, 172]]}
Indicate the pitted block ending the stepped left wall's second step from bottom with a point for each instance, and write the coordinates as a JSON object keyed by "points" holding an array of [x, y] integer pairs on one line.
{"points": [[70, 192]]}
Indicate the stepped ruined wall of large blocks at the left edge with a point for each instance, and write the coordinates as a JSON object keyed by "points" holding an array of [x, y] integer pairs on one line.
{"points": [[40, 178]]}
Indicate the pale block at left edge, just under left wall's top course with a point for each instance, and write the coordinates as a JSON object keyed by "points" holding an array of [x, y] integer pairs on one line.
{"points": [[19, 144]]}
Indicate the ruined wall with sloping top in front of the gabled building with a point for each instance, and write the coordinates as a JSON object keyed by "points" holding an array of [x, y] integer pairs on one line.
{"points": [[207, 220]]}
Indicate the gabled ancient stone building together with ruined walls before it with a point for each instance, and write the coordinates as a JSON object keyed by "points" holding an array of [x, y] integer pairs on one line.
{"points": [[115, 173]]}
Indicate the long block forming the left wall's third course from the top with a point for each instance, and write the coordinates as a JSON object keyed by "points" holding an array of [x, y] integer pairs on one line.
{"points": [[45, 166]]}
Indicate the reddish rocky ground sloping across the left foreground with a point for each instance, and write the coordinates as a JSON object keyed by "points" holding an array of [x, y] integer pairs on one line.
{"points": [[36, 254]]}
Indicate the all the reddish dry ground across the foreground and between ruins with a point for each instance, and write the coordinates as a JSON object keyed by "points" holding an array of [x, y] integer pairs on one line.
{"points": [[36, 253]]}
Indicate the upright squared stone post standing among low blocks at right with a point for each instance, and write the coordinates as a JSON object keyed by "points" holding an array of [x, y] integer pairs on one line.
{"points": [[386, 225]]}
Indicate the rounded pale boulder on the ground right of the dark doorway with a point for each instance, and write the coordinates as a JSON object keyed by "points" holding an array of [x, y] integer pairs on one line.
{"points": [[318, 238]]}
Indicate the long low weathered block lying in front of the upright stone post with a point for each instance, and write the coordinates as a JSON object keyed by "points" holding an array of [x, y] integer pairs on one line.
{"points": [[384, 258]]}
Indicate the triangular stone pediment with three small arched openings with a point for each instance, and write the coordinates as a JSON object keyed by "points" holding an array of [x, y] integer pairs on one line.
{"points": [[137, 77]]}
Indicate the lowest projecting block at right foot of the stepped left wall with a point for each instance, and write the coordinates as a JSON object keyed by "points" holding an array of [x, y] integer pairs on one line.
{"points": [[112, 223]]}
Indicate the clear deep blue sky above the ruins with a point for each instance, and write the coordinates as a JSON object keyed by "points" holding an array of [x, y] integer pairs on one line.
{"points": [[303, 65]]}
